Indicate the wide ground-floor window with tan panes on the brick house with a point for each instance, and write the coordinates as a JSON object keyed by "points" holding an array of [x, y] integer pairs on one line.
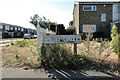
{"points": [[89, 28]]}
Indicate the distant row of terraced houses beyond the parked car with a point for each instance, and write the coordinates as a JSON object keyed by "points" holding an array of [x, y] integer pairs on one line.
{"points": [[13, 31]]}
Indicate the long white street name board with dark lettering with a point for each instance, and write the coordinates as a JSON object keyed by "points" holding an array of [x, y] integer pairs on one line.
{"points": [[61, 39]]}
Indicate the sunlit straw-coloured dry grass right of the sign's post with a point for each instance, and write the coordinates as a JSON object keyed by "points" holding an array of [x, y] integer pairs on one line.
{"points": [[106, 54]]}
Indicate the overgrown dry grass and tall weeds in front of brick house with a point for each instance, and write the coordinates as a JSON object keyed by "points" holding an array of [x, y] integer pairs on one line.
{"points": [[100, 52]]}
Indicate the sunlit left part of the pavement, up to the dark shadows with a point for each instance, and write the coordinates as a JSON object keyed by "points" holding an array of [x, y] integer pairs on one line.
{"points": [[21, 73]]}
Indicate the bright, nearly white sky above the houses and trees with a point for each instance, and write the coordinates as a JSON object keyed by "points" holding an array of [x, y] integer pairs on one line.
{"points": [[18, 12]]}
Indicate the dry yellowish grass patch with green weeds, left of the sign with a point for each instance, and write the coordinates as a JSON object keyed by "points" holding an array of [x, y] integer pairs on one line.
{"points": [[16, 56]]}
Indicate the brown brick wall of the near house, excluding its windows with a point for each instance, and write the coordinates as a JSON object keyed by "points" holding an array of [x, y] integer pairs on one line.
{"points": [[94, 17]]}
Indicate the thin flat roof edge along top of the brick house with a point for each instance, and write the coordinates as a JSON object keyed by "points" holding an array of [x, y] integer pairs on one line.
{"points": [[96, 2]]}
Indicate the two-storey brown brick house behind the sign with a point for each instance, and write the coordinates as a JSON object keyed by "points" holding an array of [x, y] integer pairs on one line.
{"points": [[96, 17]]}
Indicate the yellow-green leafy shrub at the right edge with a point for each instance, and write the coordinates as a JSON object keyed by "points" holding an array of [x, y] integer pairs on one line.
{"points": [[115, 43]]}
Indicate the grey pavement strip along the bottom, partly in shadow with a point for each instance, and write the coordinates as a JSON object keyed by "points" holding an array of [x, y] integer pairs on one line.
{"points": [[57, 74]]}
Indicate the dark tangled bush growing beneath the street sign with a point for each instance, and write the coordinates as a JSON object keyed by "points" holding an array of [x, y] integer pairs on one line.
{"points": [[62, 58]]}
